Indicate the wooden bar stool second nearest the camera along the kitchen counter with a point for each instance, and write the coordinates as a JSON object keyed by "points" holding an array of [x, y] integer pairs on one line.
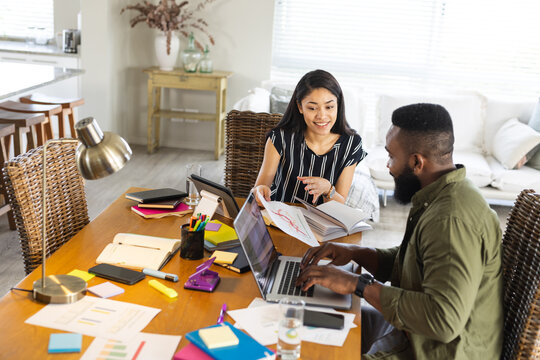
{"points": [[29, 124]]}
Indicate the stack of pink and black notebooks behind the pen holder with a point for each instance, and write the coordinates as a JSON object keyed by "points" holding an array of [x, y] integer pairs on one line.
{"points": [[158, 203]]}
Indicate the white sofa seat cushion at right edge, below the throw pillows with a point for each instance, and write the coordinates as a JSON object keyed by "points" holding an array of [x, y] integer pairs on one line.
{"points": [[513, 180]]}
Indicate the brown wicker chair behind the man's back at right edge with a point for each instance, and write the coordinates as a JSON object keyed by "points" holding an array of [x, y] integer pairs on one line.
{"points": [[521, 273]]}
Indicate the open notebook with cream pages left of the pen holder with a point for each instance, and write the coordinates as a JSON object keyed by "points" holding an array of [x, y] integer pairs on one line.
{"points": [[138, 251]]}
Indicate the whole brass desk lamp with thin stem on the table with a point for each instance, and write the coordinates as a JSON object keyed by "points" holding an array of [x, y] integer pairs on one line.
{"points": [[98, 155]]}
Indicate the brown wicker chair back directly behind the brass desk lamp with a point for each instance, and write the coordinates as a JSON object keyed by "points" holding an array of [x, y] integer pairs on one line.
{"points": [[67, 211]]}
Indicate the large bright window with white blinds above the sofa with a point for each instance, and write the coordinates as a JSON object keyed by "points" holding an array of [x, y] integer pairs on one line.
{"points": [[416, 45]]}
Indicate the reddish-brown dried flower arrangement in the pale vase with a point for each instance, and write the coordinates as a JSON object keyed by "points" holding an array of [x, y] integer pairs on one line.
{"points": [[167, 16]]}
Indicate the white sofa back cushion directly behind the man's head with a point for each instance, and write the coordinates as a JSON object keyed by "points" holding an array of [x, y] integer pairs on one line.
{"points": [[466, 112]]}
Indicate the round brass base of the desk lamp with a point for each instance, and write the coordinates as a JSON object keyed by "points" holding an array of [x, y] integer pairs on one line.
{"points": [[59, 289]]}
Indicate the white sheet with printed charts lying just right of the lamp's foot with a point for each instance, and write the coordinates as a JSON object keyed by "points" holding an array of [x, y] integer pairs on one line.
{"points": [[96, 317]]}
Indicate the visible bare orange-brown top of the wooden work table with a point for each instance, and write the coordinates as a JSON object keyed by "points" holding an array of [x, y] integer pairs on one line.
{"points": [[190, 311]]}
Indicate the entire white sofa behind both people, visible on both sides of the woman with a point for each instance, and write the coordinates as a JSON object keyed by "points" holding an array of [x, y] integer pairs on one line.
{"points": [[477, 124]]}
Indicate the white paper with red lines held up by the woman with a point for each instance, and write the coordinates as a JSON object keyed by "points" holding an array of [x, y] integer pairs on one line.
{"points": [[289, 219]]}
